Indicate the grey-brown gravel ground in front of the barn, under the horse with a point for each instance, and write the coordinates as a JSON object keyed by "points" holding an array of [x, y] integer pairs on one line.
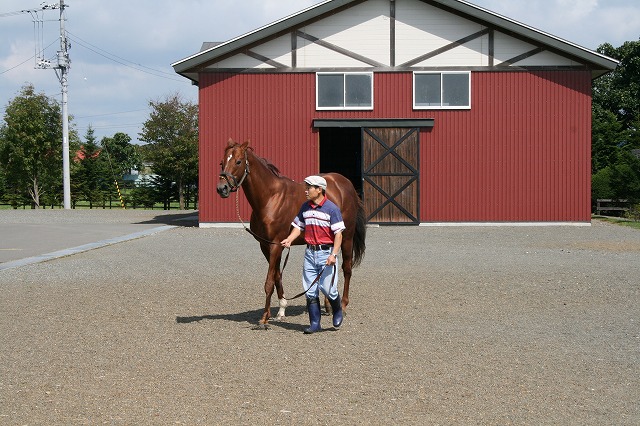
{"points": [[456, 325]]}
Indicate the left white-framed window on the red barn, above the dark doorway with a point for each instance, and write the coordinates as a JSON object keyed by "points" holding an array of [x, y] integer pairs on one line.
{"points": [[344, 90]]}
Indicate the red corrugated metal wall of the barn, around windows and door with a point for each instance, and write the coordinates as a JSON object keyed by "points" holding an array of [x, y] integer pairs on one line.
{"points": [[522, 153]]}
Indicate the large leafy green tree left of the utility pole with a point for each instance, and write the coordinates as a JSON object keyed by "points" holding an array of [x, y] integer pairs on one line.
{"points": [[31, 147]]}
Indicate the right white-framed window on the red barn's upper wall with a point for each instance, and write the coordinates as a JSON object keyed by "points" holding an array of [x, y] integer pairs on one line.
{"points": [[442, 90]]}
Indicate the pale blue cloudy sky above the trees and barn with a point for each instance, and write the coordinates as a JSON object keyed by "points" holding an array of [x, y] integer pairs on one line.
{"points": [[121, 51]]}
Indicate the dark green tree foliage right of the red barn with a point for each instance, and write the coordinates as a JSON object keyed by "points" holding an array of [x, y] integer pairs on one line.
{"points": [[616, 126]]}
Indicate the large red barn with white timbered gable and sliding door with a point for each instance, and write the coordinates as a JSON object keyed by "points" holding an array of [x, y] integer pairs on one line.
{"points": [[439, 111]]}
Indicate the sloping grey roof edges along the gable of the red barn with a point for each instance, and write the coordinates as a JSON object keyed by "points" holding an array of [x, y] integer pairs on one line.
{"points": [[190, 66]]}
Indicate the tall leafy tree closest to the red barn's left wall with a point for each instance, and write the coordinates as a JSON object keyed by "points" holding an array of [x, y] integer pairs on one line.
{"points": [[172, 132]]}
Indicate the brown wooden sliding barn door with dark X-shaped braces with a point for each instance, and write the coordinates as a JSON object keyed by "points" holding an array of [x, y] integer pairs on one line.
{"points": [[391, 171]]}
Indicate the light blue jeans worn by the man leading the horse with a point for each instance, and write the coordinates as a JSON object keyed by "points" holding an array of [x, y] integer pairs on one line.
{"points": [[314, 261]]}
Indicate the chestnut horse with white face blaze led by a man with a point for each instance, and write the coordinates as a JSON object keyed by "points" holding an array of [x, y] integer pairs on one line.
{"points": [[275, 201]]}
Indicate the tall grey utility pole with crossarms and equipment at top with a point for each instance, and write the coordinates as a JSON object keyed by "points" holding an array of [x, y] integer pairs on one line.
{"points": [[62, 71]]}
